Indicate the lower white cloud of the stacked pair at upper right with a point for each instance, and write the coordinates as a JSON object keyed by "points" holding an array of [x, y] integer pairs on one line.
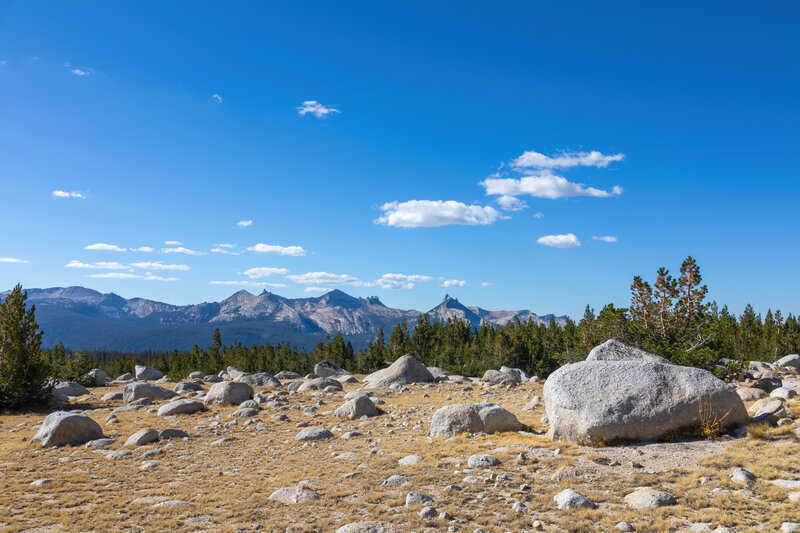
{"points": [[544, 185]]}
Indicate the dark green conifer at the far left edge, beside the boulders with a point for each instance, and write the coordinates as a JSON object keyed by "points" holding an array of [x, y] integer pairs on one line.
{"points": [[24, 369]]}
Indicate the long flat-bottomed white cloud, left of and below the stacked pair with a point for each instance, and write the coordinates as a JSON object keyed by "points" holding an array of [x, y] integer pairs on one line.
{"points": [[434, 213]]}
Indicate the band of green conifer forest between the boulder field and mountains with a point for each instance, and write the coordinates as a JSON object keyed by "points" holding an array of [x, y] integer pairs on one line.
{"points": [[669, 316]]}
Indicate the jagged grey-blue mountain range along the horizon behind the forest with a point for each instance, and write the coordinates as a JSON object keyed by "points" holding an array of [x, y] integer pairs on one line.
{"points": [[83, 318]]}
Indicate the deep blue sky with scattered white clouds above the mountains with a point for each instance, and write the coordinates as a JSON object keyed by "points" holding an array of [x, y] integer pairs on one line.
{"points": [[515, 155]]}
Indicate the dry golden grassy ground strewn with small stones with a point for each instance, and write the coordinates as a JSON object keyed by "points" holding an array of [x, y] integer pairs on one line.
{"points": [[228, 486]]}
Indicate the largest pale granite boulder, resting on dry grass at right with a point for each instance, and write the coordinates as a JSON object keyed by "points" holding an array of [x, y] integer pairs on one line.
{"points": [[621, 398]]}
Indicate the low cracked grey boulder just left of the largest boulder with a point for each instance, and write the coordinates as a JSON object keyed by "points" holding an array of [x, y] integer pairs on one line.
{"points": [[451, 420]]}
